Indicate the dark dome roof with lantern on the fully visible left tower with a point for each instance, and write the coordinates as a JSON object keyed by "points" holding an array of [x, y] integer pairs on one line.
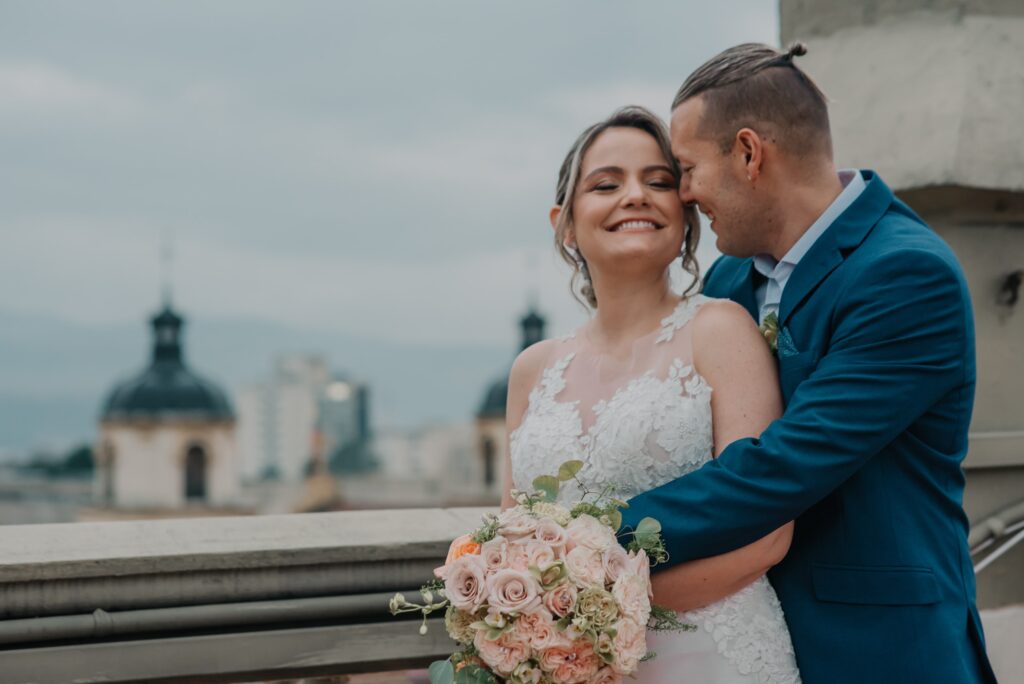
{"points": [[167, 388]]}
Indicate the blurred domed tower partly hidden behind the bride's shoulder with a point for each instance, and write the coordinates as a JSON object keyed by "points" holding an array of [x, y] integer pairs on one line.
{"points": [[491, 417]]}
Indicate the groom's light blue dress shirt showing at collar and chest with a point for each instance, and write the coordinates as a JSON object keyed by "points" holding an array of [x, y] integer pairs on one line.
{"points": [[770, 294]]}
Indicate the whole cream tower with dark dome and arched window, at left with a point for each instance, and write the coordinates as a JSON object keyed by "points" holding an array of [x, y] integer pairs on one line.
{"points": [[166, 436]]}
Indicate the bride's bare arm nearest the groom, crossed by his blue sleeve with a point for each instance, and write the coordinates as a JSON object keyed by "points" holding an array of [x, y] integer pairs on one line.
{"points": [[731, 354]]}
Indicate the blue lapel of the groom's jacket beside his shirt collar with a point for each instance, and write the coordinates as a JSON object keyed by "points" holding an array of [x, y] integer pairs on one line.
{"points": [[831, 249]]}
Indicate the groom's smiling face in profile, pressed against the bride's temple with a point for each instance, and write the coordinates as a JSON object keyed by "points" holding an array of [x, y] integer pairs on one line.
{"points": [[715, 182]]}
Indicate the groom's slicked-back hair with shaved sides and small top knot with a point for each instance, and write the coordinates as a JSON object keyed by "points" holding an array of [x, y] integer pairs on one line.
{"points": [[756, 87]]}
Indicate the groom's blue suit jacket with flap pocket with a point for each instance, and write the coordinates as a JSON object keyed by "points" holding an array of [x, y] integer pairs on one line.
{"points": [[878, 374]]}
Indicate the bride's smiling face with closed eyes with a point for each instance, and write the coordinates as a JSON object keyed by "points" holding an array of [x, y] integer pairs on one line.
{"points": [[627, 207]]}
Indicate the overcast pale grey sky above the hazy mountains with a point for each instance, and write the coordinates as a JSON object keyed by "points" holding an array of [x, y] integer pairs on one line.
{"points": [[377, 168]]}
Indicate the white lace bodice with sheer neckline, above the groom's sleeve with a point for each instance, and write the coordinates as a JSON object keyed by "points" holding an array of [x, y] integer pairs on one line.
{"points": [[636, 423]]}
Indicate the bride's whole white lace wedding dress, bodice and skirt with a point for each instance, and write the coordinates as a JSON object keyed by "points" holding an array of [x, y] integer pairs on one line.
{"points": [[638, 423]]}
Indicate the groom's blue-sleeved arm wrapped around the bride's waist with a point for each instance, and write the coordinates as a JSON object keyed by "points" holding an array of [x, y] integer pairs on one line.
{"points": [[899, 346]]}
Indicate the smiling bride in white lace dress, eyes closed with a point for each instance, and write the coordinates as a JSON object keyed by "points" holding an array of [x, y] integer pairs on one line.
{"points": [[651, 389]]}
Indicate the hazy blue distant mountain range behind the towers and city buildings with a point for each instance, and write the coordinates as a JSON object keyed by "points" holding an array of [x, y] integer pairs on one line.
{"points": [[55, 374]]}
